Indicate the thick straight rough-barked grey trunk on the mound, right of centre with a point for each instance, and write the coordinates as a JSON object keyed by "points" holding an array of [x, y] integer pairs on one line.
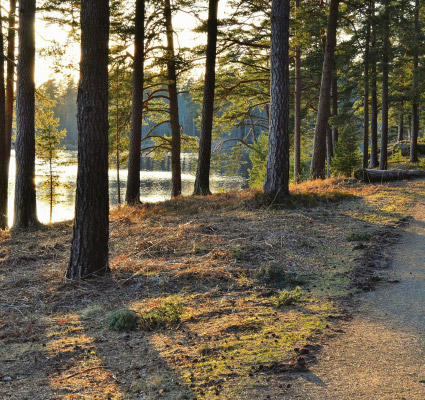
{"points": [[277, 174]]}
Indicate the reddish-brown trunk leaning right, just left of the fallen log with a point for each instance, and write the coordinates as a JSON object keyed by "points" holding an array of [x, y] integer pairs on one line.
{"points": [[319, 152]]}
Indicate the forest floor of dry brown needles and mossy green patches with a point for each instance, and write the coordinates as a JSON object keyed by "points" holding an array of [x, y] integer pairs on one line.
{"points": [[235, 298]]}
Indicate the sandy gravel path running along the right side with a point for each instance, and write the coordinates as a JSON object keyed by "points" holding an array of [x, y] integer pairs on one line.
{"points": [[381, 353]]}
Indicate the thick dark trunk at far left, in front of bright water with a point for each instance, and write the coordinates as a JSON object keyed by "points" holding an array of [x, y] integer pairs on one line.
{"points": [[25, 200]]}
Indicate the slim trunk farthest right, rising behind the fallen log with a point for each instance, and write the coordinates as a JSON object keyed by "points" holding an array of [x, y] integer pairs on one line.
{"points": [[415, 105]]}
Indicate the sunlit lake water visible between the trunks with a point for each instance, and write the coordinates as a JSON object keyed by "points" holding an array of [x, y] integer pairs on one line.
{"points": [[155, 184]]}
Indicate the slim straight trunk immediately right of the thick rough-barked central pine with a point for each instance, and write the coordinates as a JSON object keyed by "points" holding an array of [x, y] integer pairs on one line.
{"points": [[297, 115]]}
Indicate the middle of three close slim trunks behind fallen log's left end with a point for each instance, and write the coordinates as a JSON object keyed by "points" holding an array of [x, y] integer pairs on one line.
{"points": [[374, 96]]}
